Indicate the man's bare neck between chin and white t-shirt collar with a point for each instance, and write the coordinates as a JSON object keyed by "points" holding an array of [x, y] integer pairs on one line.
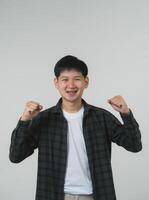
{"points": [[71, 107]]}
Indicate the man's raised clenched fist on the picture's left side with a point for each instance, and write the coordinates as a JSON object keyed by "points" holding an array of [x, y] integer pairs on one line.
{"points": [[32, 108]]}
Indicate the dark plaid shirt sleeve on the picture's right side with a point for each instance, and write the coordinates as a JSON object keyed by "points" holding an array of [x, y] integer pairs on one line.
{"points": [[128, 134]]}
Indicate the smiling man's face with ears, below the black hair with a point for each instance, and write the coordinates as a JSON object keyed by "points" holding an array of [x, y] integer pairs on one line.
{"points": [[71, 84]]}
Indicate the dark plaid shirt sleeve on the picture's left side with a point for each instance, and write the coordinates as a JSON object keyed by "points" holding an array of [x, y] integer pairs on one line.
{"points": [[24, 139]]}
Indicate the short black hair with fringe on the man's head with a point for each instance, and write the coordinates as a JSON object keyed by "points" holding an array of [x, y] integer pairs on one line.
{"points": [[70, 62]]}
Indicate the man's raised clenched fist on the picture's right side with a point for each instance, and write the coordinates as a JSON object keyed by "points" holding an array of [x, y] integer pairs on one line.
{"points": [[119, 104]]}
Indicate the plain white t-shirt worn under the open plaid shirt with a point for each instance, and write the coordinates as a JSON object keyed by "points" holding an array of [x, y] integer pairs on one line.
{"points": [[77, 179]]}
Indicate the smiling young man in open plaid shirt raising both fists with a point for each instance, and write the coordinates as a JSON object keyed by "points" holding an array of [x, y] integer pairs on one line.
{"points": [[74, 139]]}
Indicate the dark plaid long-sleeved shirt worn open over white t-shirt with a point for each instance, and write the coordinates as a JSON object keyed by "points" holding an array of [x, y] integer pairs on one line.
{"points": [[48, 132]]}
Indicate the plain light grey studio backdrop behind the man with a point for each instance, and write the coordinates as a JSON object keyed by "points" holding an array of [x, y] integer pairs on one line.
{"points": [[112, 37]]}
